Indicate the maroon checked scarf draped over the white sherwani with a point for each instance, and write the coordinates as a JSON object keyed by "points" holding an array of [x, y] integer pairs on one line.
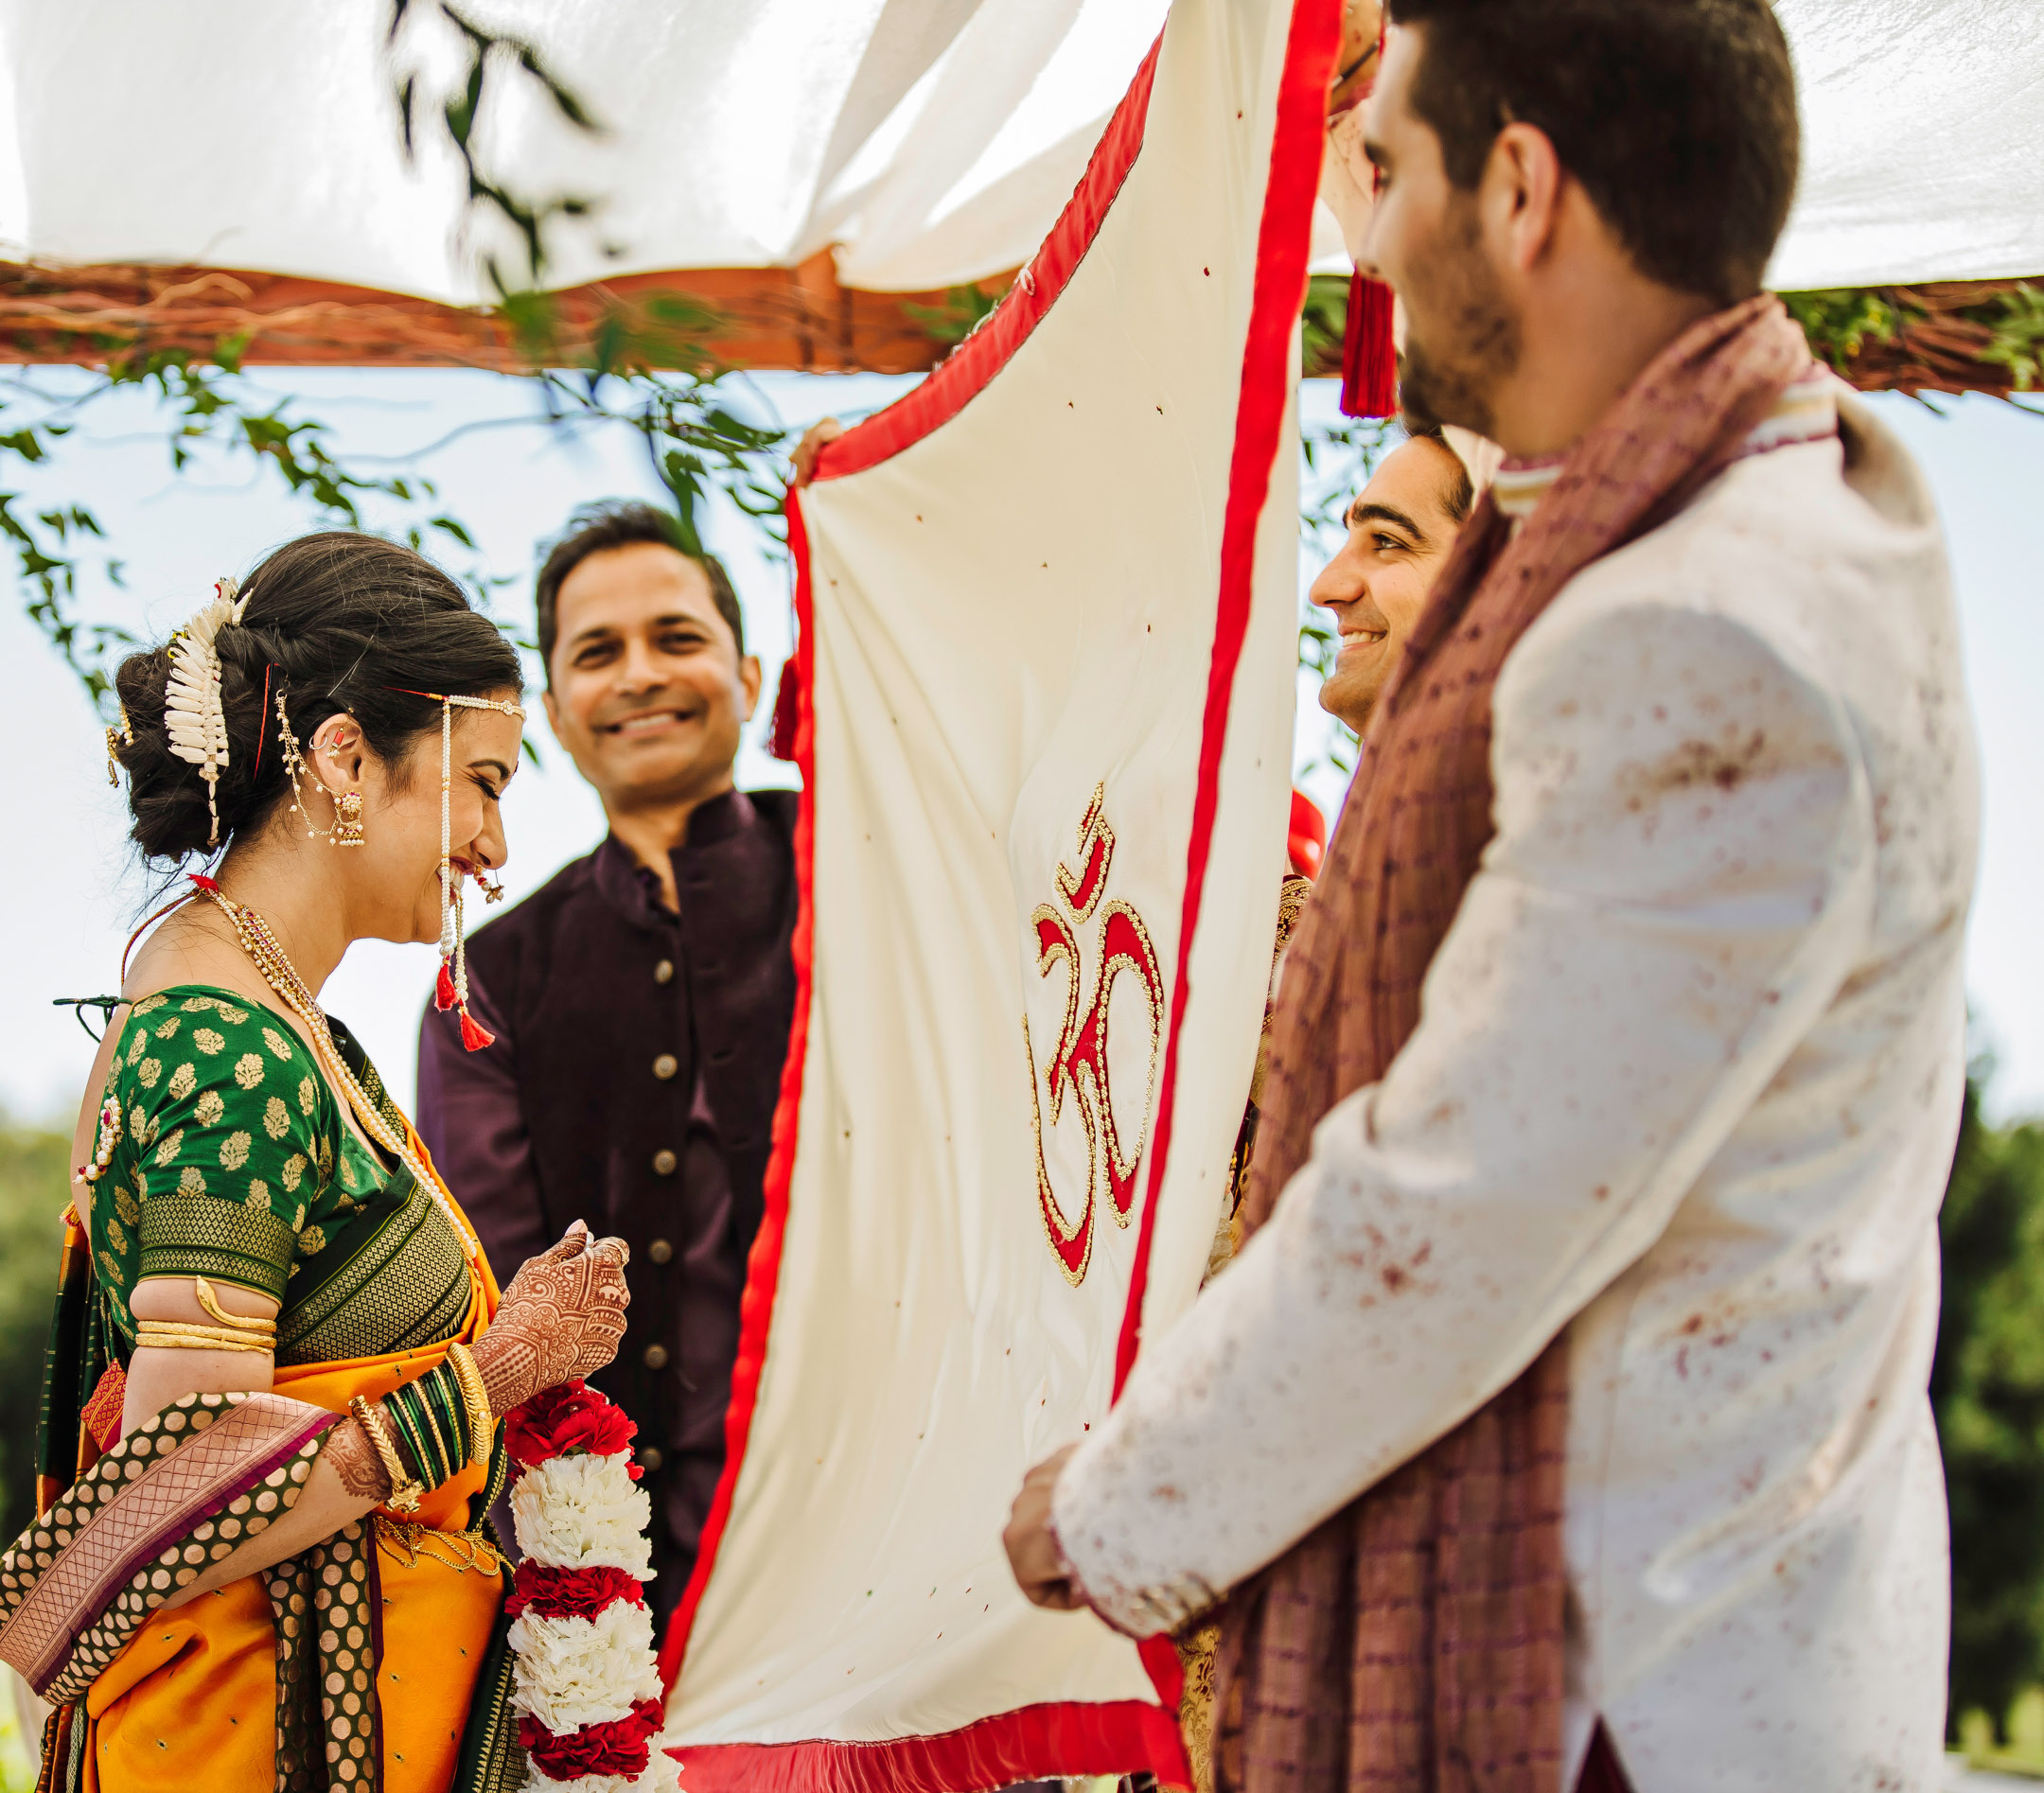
{"points": [[1413, 1643]]}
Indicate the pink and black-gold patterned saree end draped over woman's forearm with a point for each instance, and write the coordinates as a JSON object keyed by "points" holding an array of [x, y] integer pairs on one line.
{"points": [[181, 1491]]}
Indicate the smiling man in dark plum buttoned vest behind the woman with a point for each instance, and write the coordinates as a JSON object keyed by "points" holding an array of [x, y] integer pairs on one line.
{"points": [[641, 999]]}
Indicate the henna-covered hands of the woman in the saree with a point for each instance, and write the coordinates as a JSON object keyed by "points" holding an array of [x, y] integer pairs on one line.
{"points": [[561, 1318]]}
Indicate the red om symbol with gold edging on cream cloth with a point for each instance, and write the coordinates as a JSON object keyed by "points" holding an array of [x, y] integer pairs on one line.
{"points": [[1078, 1070]]}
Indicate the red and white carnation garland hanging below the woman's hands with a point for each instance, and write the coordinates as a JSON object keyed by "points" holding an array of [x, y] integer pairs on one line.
{"points": [[586, 1677]]}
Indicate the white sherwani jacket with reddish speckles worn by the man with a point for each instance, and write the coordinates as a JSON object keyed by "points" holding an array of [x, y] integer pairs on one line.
{"points": [[1685, 1085]]}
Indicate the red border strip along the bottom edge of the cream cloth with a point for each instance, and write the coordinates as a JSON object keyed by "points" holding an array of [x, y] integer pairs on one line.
{"points": [[994, 1753]]}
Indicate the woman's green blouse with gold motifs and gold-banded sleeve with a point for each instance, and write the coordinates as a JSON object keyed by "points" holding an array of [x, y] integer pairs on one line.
{"points": [[236, 1164]]}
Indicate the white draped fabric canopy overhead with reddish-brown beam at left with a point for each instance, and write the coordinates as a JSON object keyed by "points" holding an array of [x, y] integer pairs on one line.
{"points": [[802, 165]]}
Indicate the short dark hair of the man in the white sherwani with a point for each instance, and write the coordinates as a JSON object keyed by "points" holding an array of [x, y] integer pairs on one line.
{"points": [[1677, 118]]}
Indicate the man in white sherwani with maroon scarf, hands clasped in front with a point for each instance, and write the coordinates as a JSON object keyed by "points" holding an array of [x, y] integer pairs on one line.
{"points": [[1565, 1422]]}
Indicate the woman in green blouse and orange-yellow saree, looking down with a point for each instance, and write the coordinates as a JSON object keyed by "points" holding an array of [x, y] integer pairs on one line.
{"points": [[279, 1359]]}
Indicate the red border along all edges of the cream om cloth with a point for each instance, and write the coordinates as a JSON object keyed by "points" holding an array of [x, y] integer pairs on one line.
{"points": [[1066, 1739]]}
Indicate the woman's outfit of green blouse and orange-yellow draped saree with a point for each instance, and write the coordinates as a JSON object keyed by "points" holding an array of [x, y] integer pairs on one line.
{"points": [[371, 1661]]}
